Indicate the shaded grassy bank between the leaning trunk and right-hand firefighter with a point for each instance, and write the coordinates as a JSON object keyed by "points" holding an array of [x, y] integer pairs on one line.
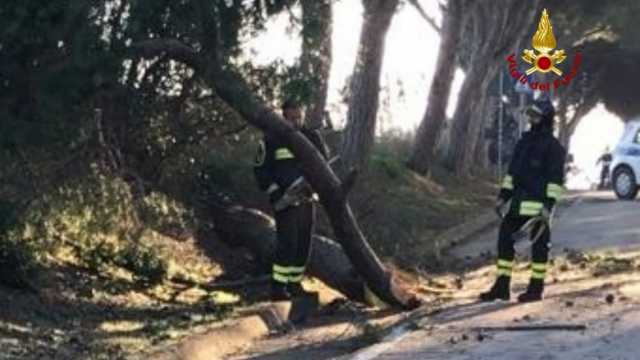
{"points": [[402, 212]]}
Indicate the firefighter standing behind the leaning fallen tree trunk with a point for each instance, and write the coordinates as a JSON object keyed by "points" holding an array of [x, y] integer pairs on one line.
{"points": [[278, 172]]}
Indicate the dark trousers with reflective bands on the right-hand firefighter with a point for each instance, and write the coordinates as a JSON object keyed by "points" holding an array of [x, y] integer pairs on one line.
{"points": [[506, 250]]}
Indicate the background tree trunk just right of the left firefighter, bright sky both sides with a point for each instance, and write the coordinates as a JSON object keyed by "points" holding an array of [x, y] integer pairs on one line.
{"points": [[365, 84]]}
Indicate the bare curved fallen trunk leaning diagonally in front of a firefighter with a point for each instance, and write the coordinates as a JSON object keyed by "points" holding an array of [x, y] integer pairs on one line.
{"points": [[234, 90]]}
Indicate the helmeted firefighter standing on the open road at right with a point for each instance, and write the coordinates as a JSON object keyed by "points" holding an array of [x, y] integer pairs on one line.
{"points": [[533, 185]]}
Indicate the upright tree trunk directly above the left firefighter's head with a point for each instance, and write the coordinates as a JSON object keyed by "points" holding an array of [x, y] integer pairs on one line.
{"points": [[317, 21]]}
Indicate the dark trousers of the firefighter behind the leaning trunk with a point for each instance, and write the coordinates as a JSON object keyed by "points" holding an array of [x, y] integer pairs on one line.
{"points": [[294, 227]]}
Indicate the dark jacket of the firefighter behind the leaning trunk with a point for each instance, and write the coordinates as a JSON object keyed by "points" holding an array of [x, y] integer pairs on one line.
{"points": [[276, 167]]}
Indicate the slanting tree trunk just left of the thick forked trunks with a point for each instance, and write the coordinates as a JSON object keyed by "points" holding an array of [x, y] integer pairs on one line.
{"points": [[425, 142]]}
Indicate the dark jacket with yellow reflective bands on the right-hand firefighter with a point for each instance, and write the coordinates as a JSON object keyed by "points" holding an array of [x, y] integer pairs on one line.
{"points": [[536, 173]]}
